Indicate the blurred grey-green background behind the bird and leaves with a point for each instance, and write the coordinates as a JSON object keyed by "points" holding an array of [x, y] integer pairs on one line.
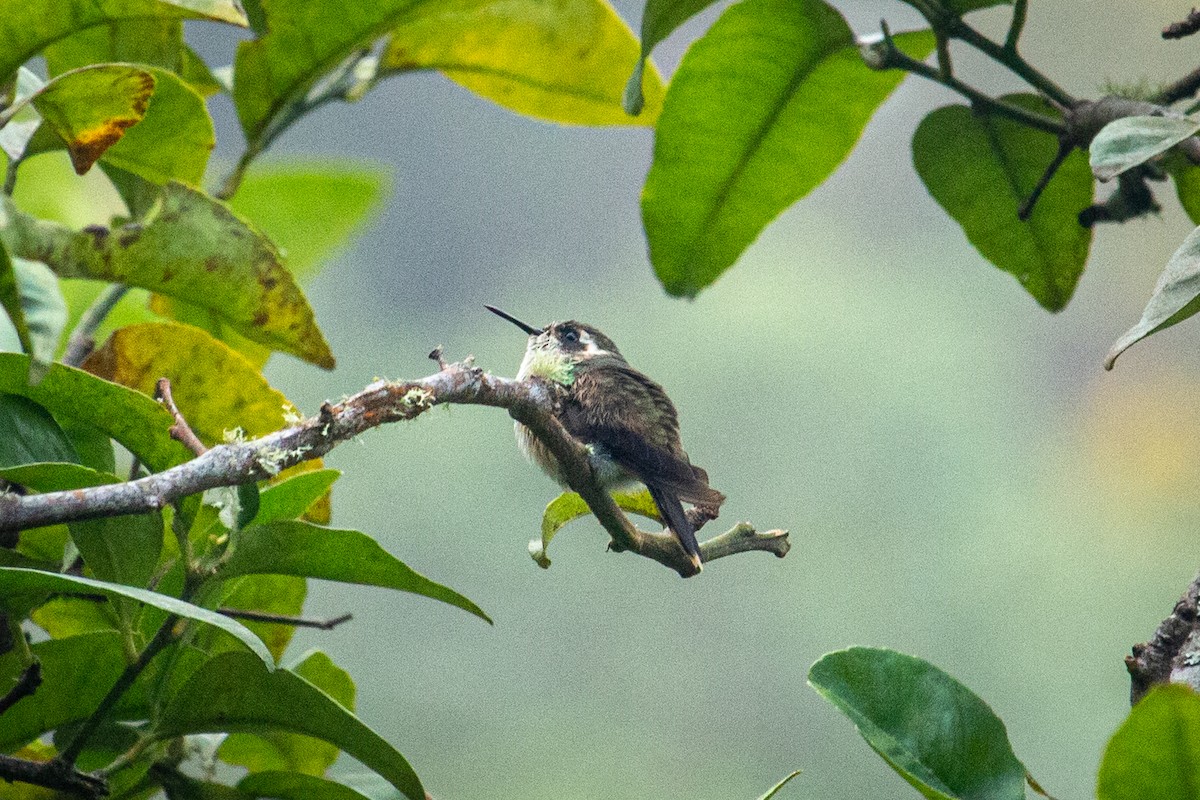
{"points": [[962, 479]]}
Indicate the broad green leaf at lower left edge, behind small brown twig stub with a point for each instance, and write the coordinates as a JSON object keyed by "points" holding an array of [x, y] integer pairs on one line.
{"points": [[77, 673]]}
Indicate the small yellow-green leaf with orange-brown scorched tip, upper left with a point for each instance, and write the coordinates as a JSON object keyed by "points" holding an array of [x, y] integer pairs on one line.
{"points": [[91, 109]]}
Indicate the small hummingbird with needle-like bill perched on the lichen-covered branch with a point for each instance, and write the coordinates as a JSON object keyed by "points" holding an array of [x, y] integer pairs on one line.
{"points": [[626, 420]]}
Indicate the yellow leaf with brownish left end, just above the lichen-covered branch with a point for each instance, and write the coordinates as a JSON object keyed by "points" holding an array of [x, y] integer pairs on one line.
{"points": [[215, 388]]}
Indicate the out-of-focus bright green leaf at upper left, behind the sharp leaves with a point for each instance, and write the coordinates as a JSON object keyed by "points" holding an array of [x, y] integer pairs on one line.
{"points": [[310, 210]]}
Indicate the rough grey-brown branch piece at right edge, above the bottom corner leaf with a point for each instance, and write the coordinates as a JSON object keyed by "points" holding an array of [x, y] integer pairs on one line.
{"points": [[1174, 652]]}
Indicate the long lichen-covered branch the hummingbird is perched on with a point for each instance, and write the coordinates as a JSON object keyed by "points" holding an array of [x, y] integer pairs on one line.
{"points": [[531, 404]]}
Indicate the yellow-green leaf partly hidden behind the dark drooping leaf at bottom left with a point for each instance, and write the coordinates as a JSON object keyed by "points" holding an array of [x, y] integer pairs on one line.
{"points": [[289, 753]]}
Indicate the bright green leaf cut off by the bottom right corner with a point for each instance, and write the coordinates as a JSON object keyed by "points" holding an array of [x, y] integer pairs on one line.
{"points": [[1156, 751]]}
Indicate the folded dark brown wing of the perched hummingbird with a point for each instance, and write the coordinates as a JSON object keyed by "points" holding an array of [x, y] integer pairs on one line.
{"points": [[629, 416]]}
